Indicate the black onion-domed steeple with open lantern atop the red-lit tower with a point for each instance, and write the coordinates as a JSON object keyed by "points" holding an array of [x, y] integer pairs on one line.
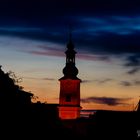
{"points": [[70, 71]]}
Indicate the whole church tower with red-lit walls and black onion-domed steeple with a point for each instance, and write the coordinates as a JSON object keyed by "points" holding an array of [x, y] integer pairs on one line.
{"points": [[69, 99]]}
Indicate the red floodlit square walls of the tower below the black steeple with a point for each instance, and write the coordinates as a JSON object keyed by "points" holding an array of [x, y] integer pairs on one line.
{"points": [[69, 108]]}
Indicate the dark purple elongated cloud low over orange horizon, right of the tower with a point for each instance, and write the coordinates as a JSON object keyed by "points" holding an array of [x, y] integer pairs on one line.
{"points": [[105, 100]]}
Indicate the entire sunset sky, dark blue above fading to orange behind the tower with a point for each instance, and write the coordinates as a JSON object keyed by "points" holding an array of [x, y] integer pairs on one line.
{"points": [[106, 35]]}
